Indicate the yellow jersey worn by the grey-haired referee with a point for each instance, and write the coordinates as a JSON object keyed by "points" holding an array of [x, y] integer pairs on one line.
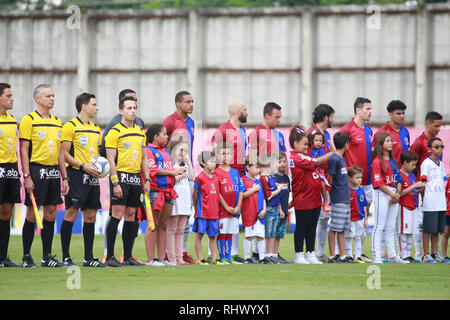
{"points": [[44, 135]]}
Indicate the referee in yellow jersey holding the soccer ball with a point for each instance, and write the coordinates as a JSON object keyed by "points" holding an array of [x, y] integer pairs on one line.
{"points": [[81, 139]]}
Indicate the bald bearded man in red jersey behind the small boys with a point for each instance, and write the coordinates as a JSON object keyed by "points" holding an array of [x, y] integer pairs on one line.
{"points": [[233, 133]]}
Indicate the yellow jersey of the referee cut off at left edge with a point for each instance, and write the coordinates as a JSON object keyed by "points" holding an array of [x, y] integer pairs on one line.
{"points": [[8, 139]]}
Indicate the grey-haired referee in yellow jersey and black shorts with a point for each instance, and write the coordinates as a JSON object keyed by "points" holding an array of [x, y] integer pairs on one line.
{"points": [[43, 166]]}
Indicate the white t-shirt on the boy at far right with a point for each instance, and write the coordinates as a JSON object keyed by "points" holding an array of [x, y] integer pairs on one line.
{"points": [[434, 197]]}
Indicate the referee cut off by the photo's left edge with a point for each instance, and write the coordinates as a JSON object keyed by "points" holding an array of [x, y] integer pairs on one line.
{"points": [[9, 173]]}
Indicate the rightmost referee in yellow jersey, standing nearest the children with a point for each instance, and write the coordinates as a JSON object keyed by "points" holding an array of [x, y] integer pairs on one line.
{"points": [[125, 144]]}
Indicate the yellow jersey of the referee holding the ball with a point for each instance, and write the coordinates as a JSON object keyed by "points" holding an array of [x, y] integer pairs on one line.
{"points": [[85, 139]]}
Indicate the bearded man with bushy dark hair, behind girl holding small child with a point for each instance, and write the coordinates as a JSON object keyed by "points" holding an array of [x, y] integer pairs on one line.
{"points": [[323, 118]]}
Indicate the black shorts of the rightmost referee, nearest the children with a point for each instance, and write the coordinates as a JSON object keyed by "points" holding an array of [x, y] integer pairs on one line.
{"points": [[131, 189]]}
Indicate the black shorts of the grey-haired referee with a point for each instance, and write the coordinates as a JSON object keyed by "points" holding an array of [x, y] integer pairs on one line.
{"points": [[47, 185]]}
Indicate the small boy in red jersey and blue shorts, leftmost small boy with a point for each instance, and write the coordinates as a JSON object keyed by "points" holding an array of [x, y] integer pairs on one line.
{"points": [[206, 201]]}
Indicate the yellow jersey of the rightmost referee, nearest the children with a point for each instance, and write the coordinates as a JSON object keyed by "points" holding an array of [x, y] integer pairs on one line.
{"points": [[129, 143]]}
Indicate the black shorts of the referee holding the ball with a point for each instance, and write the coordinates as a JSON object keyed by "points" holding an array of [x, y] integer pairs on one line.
{"points": [[84, 192]]}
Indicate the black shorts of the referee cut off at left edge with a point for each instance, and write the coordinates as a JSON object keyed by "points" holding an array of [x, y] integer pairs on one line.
{"points": [[9, 183]]}
